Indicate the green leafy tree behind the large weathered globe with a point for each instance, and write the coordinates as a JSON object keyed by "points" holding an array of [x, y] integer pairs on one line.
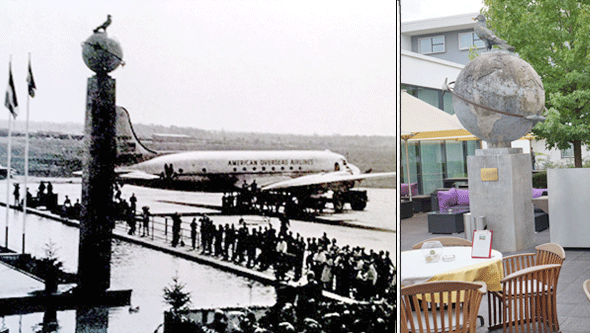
{"points": [[554, 37]]}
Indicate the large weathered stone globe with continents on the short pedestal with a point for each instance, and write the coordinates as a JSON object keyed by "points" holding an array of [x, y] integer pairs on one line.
{"points": [[498, 81]]}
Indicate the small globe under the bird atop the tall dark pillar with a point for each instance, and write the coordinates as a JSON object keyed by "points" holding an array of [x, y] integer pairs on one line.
{"points": [[102, 54]]}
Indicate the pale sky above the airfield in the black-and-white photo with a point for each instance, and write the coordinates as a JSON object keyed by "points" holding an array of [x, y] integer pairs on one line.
{"points": [[260, 66]]}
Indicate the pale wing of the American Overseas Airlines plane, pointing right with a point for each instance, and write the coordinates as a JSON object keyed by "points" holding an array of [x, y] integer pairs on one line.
{"points": [[324, 179]]}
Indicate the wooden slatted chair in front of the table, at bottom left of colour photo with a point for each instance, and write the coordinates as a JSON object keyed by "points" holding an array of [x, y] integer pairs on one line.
{"points": [[441, 306]]}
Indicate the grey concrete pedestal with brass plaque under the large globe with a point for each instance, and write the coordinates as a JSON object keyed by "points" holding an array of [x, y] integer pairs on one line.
{"points": [[506, 201]]}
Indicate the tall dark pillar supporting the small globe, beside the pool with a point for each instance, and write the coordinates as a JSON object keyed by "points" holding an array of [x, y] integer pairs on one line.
{"points": [[96, 223]]}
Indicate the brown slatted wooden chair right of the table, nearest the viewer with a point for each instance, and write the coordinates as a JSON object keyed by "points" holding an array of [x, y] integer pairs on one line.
{"points": [[529, 299]]}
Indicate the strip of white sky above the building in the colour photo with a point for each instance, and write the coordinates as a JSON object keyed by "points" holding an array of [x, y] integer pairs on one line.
{"points": [[414, 10]]}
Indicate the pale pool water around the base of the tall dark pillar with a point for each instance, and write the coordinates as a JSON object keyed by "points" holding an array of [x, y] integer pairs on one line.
{"points": [[147, 272]]}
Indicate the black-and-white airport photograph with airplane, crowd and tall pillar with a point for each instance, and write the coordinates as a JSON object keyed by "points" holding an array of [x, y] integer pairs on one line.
{"points": [[199, 166]]}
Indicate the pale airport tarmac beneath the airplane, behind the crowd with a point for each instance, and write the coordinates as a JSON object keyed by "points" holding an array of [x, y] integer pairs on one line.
{"points": [[376, 224]]}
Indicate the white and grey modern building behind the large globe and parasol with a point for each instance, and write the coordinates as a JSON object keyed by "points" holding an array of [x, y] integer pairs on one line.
{"points": [[431, 51]]}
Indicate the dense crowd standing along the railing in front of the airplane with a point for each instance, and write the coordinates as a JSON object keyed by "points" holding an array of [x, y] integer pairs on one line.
{"points": [[345, 270]]}
